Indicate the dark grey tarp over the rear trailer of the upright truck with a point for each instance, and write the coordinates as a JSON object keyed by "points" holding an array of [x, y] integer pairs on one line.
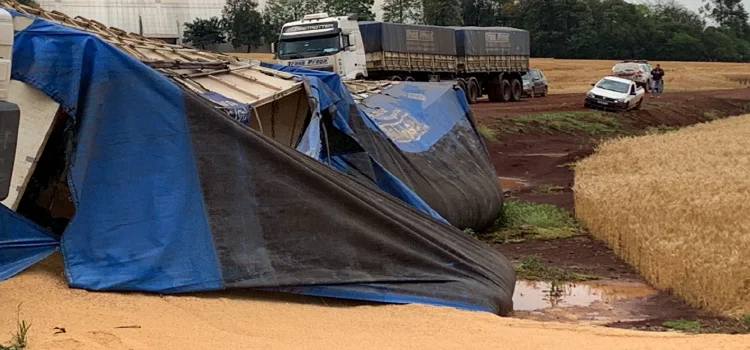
{"points": [[481, 41]]}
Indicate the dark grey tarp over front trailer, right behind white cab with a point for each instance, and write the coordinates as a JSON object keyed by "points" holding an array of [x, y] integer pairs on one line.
{"points": [[406, 38]]}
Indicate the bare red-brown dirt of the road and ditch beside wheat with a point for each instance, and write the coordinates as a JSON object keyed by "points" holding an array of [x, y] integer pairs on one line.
{"points": [[539, 158]]}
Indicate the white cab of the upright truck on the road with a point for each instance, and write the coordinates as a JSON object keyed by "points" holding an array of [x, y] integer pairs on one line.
{"points": [[324, 43]]}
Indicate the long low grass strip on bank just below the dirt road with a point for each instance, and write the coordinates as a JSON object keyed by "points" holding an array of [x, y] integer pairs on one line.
{"points": [[586, 122]]}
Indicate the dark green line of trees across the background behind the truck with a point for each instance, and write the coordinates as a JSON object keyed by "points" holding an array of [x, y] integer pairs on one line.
{"points": [[595, 29]]}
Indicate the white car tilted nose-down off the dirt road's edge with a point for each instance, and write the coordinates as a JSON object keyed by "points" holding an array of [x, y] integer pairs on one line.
{"points": [[613, 93]]}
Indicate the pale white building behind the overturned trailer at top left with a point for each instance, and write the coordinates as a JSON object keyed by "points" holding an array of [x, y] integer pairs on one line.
{"points": [[162, 19]]}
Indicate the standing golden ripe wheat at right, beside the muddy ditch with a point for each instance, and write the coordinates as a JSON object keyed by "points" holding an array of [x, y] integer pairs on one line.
{"points": [[675, 207]]}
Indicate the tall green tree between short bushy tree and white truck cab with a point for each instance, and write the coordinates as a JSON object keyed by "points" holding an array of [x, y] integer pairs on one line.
{"points": [[243, 23]]}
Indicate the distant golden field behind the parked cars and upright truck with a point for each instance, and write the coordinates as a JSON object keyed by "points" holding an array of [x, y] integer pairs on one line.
{"points": [[574, 76]]}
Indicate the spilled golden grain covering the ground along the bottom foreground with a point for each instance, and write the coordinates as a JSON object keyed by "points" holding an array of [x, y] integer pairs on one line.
{"points": [[242, 320]]}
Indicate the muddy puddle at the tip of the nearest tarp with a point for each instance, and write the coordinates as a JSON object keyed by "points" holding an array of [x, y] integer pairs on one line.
{"points": [[532, 295]]}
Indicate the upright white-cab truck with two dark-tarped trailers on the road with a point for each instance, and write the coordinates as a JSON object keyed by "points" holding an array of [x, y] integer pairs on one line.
{"points": [[481, 60]]}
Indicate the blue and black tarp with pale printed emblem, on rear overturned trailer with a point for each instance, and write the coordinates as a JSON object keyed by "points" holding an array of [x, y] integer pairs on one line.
{"points": [[421, 141]]}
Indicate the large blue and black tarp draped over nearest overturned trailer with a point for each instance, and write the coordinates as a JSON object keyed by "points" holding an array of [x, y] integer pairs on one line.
{"points": [[171, 196]]}
